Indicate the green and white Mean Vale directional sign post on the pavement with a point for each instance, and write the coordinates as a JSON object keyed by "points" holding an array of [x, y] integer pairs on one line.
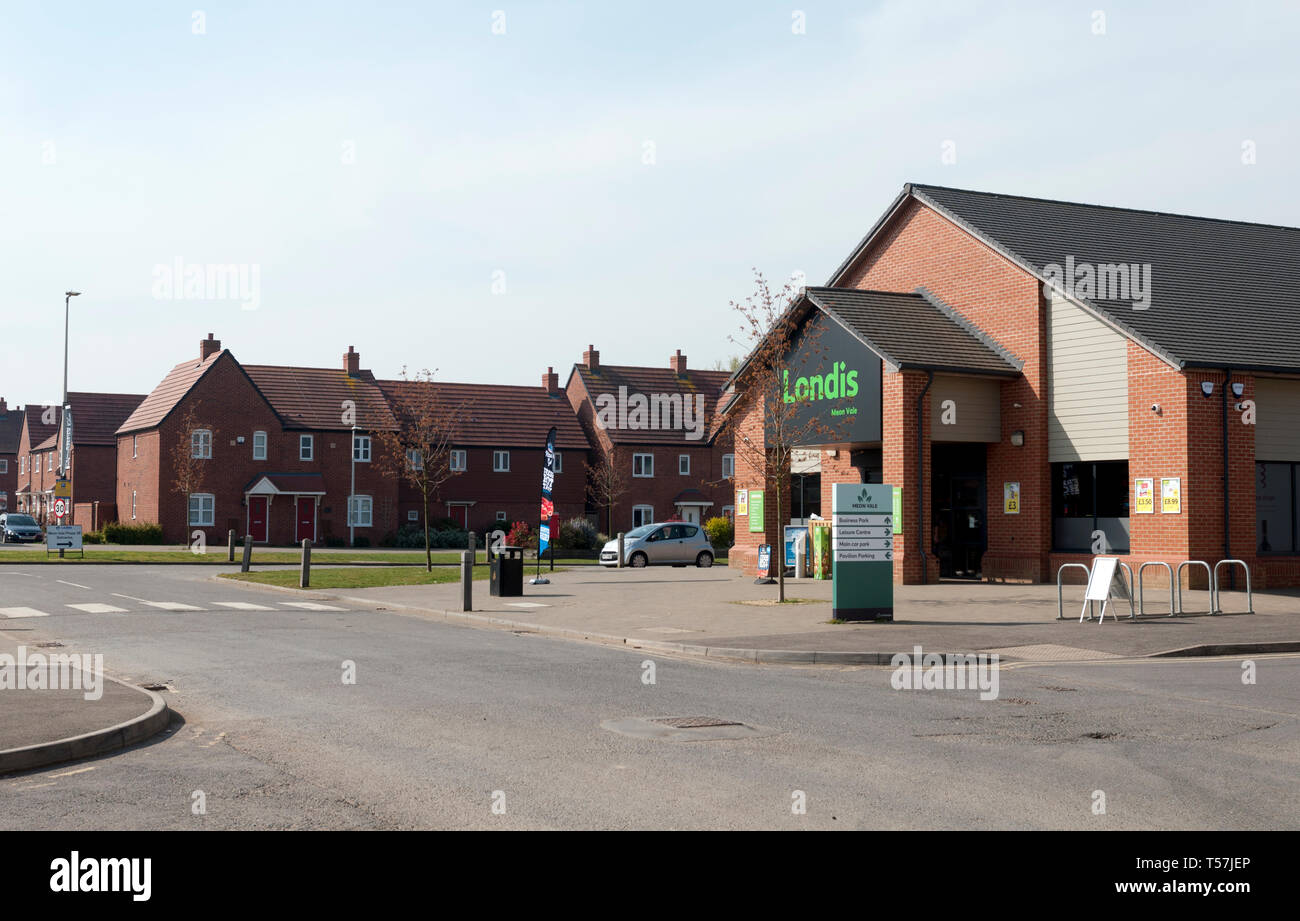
{"points": [[863, 531]]}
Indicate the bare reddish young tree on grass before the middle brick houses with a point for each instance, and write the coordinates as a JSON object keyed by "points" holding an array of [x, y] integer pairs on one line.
{"points": [[419, 451]]}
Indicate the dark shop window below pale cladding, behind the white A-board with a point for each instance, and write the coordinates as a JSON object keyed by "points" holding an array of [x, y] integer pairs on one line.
{"points": [[1089, 498]]}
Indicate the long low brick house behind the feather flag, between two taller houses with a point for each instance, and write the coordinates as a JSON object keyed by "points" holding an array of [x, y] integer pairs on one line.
{"points": [[500, 453]]}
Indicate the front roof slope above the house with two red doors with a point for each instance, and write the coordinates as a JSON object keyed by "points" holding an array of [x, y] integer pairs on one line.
{"points": [[313, 399]]}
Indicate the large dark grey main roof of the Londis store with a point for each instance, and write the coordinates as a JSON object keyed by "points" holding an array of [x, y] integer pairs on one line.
{"points": [[1223, 293]]}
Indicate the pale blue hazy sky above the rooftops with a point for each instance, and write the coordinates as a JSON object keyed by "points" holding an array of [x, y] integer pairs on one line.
{"points": [[525, 154]]}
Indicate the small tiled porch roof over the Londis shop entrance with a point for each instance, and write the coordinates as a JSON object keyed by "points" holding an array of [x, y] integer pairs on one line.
{"points": [[915, 331]]}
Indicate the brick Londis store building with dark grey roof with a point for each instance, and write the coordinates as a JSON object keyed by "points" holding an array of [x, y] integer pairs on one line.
{"points": [[1047, 382]]}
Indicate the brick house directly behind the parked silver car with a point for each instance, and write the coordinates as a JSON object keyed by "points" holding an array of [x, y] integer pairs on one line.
{"points": [[675, 464]]}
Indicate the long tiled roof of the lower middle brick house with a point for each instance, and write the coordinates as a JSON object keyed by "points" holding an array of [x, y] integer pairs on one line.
{"points": [[496, 416]]}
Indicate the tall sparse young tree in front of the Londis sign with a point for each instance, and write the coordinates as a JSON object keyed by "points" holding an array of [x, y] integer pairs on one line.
{"points": [[778, 339]]}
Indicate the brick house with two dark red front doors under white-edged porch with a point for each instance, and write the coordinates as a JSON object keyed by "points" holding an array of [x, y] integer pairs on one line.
{"points": [[279, 449]]}
